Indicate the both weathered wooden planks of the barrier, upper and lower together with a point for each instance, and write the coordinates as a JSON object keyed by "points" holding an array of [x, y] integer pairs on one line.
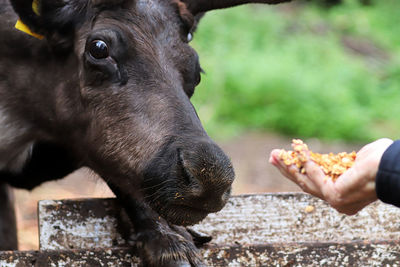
{"points": [[252, 230]]}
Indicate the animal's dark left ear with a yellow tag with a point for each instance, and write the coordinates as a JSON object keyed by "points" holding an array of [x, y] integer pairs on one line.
{"points": [[55, 19]]}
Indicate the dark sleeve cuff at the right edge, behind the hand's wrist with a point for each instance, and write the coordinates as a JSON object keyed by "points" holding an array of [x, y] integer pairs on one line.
{"points": [[388, 176]]}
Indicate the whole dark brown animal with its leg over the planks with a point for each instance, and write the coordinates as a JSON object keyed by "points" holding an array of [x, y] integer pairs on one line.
{"points": [[108, 87]]}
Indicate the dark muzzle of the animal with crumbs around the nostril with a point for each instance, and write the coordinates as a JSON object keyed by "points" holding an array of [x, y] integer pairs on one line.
{"points": [[187, 181]]}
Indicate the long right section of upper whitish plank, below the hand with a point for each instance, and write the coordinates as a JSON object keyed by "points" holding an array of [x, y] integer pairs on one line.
{"points": [[297, 217]]}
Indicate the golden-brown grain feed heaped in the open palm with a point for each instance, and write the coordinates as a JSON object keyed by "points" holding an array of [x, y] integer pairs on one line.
{"points": [[333, 165]]}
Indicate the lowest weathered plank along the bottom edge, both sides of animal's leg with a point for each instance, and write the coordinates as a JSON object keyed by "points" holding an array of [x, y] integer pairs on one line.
{"points": [[278, 254]]}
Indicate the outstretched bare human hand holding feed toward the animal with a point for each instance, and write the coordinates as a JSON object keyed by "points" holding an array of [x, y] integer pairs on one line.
{"points": [[352, 191]]}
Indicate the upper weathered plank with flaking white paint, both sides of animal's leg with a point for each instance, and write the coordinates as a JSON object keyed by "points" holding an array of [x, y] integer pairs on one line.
{"points": [[246, 220]]}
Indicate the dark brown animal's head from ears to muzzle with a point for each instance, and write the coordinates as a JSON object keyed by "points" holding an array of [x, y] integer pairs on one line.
{"points": [[135, 75]]}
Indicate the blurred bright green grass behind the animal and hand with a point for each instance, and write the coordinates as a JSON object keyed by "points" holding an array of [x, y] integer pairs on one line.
{"points": [[302, 70]]}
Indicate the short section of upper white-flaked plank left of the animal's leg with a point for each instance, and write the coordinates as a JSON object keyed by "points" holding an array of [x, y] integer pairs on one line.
{"points": [[79, 224]]}
